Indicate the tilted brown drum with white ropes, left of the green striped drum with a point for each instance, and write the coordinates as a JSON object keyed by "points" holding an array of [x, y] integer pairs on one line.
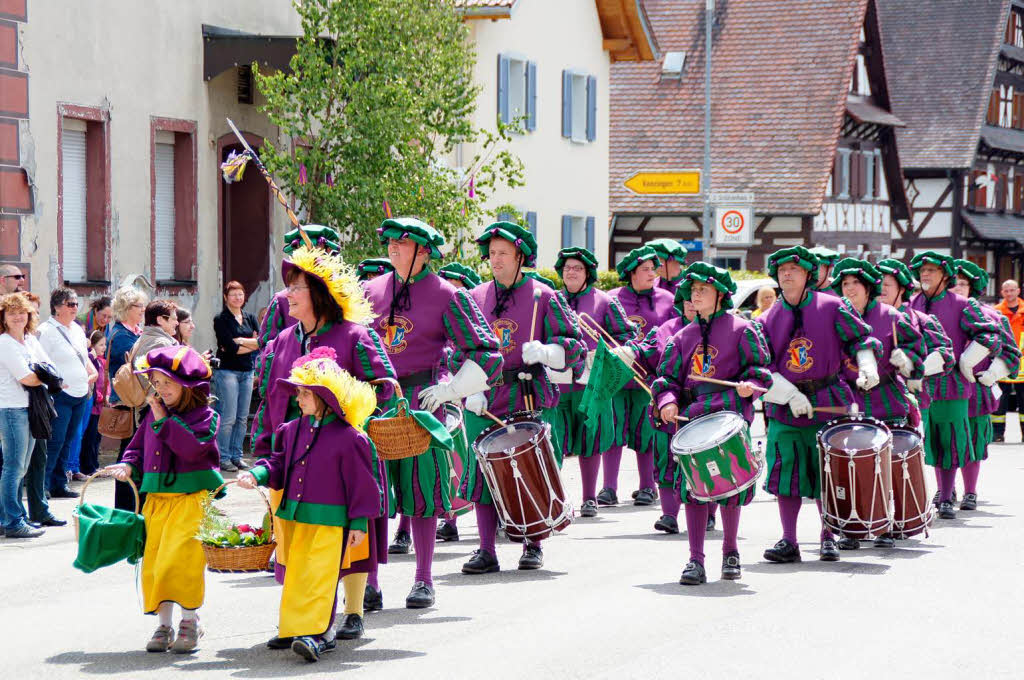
{"points": [[522, 473]]}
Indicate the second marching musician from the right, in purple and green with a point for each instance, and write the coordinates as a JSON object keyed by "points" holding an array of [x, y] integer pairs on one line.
{"points": [[975, 338]]}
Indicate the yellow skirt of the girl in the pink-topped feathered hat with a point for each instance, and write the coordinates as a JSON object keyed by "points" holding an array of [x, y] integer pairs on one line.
{"points": [[317, 557]]}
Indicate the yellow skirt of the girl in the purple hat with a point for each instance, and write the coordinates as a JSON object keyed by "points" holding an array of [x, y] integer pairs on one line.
{"points": [[174, 564]]}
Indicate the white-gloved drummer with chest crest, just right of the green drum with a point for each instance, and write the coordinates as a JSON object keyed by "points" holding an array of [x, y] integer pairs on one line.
{"points": [[809, 334]]}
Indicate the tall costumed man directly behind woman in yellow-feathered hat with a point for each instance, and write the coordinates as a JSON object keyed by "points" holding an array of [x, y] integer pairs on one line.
{"points": [[419, 315]]}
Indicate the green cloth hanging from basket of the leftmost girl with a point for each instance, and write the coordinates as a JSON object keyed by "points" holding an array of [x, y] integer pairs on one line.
{"points": [[107, 536]]}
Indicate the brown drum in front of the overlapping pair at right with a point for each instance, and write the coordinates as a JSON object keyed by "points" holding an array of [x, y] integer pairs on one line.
{"points": [[856, 455]]}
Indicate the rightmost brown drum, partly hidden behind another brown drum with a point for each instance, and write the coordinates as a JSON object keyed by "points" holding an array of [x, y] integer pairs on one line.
{"points": [[913, 511]]}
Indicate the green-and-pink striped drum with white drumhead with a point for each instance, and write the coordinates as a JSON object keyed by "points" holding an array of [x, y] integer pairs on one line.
{"points": [[715, 454]]}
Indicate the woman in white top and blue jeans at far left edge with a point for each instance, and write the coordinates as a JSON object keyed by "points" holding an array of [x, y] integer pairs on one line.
{"points": [[19, 349]]}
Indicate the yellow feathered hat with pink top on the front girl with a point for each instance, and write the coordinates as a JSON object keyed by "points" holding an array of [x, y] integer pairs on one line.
{"points": [[349, 397]]}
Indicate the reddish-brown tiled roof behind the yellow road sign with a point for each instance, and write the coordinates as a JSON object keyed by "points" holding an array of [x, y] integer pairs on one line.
{"points": [[781, 76]]}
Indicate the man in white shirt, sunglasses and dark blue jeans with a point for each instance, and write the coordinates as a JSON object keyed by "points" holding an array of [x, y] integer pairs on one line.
{"points": [[65, 344]]}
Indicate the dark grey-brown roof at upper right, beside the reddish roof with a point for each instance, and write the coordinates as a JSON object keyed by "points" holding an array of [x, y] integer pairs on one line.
{"points": [[942, 61]]}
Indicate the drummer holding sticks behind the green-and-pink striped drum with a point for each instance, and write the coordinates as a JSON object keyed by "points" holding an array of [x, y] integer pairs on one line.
{"points": [[728, 348]]}
